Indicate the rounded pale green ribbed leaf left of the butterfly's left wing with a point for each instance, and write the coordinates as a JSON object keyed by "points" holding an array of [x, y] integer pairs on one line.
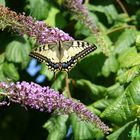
{"points": [[18, 52]]}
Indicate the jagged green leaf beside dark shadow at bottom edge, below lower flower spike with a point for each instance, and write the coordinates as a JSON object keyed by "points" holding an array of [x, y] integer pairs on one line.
{"points": [[57, 127]]}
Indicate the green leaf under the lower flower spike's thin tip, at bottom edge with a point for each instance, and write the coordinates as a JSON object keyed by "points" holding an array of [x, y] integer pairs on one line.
{"points": [[83, 130]]}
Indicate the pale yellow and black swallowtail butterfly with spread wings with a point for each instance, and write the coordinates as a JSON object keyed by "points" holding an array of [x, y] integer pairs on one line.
{"points": [[62, 55]]}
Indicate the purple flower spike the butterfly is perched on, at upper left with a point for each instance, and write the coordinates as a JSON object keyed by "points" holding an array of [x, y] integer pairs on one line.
{"points": [[30, 26]]}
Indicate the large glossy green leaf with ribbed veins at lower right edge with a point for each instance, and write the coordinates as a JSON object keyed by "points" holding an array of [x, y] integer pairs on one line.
{"points": [[120, 111]]}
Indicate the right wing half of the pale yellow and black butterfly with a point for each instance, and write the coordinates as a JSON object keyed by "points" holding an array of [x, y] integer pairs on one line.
{"points": [[72, 51]]}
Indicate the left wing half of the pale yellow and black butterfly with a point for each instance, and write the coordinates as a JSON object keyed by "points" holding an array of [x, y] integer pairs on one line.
{"points": [[48, 54]]}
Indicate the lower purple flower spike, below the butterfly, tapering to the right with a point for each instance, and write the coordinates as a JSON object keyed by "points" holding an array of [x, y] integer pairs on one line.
{"points": [[46, 99]]}
